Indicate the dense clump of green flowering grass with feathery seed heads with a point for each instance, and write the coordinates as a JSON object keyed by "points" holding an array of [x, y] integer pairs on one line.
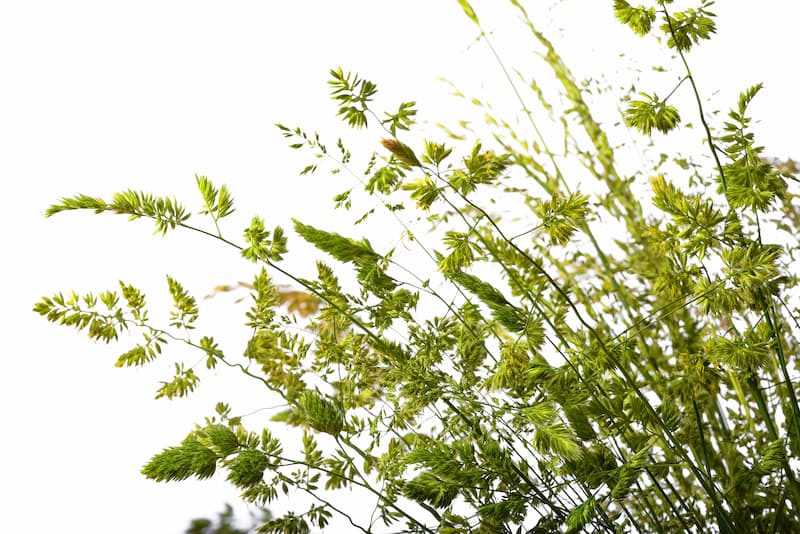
{"points": [[516, 367]]}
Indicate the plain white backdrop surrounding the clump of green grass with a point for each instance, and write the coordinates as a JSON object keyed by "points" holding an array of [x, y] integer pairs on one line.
{"points": [[97, 97]]}
